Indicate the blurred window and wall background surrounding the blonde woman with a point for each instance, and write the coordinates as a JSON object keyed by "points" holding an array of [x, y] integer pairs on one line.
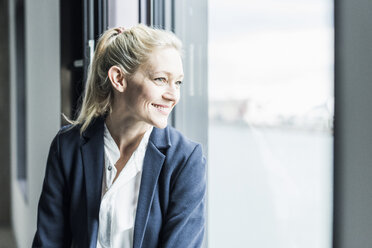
{"points": [[278, 92]]}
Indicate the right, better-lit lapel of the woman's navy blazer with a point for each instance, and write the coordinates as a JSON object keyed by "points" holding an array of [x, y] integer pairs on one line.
{"points": [[152, 165]]}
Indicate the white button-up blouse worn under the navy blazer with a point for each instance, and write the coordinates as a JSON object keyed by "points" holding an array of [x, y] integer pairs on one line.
{"points": [[119, 199]]}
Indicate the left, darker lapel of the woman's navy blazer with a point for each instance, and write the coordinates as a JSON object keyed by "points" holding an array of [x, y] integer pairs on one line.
{"points": [[92, 152]]}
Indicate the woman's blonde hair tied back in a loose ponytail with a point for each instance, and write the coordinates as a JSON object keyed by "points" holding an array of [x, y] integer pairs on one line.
{"points": [[127, 49]]}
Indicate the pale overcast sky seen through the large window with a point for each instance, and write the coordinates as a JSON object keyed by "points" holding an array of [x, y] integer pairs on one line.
{"points": [[278, 53]]}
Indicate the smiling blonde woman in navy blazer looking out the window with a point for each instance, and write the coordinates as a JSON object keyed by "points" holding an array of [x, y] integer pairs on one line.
{"points": [[119, 176]]}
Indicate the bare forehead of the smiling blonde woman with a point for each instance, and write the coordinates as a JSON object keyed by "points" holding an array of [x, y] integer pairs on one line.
{"points": [[165, 60]]}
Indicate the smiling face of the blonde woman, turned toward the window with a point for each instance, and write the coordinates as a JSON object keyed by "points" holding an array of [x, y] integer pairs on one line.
{"points": [[153, 91]]}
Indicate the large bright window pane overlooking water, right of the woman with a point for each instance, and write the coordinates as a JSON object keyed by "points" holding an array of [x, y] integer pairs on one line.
{"points": [[270, 123]]}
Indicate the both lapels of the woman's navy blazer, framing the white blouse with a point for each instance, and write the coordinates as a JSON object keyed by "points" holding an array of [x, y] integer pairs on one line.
{"points": [[92, 151]]}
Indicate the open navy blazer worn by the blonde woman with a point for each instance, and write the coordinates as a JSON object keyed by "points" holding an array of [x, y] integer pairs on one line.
{"points": [[171, 201]]}
